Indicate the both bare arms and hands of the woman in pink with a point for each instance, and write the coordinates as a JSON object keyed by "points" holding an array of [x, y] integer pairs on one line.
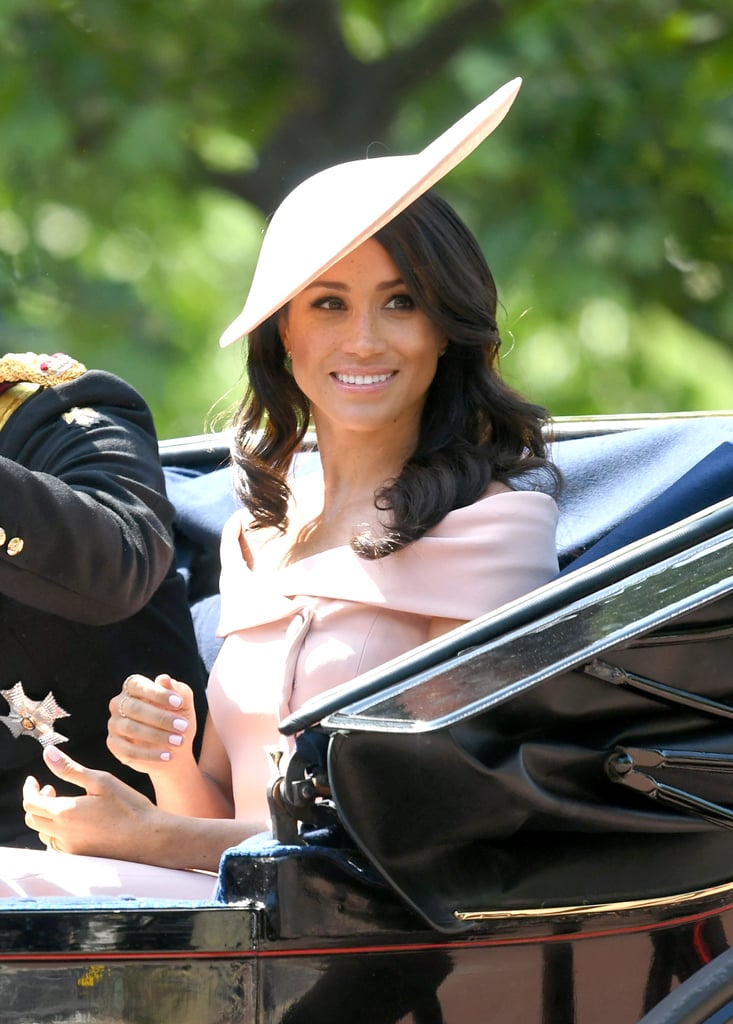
{"points": [[152, 730]]}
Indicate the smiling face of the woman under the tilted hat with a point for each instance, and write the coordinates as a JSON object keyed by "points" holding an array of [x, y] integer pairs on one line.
{"points": [[361, 350]]}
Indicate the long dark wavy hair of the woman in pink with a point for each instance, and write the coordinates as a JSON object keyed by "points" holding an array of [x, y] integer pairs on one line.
{"points": [[475, 428]]}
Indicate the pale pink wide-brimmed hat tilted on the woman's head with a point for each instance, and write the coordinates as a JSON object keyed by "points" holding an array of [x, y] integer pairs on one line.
{"points": [[327, 217]]}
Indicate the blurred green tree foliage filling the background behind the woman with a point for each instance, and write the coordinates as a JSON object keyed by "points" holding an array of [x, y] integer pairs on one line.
{"points": [[143, 146]]}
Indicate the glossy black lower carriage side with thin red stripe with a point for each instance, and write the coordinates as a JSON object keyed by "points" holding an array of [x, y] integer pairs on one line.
{"points": [[351, 958]]}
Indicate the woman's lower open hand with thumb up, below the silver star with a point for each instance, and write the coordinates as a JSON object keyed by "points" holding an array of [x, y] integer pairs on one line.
{"points": [[110, 820]]}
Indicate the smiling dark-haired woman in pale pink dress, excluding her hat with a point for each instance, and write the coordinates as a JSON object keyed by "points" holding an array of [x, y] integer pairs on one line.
{"points": [[412, 527]]}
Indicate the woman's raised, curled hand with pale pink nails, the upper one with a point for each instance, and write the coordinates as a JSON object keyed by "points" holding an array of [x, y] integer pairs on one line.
{"points": [[152, 722]]}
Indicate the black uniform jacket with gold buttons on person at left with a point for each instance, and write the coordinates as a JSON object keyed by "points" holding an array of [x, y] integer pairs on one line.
{"points": [[89, 591]]}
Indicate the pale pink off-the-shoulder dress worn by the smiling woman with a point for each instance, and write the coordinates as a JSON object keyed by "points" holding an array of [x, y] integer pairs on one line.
{"points": [[317, 624]]}
